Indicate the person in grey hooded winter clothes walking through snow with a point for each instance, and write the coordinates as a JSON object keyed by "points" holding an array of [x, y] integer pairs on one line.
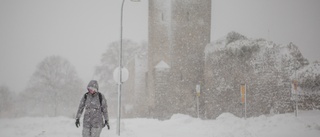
{"points": [[95, 106]]}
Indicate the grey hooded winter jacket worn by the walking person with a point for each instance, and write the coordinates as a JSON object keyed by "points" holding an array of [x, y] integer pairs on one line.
{"points": [[94, 112]]}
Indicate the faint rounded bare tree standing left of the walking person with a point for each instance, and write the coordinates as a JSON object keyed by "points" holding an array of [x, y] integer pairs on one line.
{"points": [[54, 88]]}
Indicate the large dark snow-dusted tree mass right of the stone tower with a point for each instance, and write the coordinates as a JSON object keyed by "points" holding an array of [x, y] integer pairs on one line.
{"points": [[263, 66]]}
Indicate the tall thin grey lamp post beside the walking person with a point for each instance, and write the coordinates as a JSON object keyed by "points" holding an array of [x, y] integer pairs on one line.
{"points": [[121, 67]]}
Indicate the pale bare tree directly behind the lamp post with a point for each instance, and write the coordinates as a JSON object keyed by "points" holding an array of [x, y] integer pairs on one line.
{"points": [[110, 61]]}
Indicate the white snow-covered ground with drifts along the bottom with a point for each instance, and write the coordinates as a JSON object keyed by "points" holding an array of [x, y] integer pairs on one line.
{"points": [[307, 124]]}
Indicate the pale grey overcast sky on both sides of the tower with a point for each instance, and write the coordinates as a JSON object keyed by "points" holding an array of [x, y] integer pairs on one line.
{"points": [[80, 30]]}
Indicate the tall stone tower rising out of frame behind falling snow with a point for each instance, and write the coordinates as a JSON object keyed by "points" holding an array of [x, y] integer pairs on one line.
{"points": [[179, 30]]}
